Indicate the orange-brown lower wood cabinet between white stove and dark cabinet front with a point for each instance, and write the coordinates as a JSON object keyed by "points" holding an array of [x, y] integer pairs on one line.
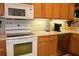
{"points": [[47, 46]]}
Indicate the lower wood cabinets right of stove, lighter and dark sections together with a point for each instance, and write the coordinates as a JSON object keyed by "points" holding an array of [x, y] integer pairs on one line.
{"points": [[53, 45]]}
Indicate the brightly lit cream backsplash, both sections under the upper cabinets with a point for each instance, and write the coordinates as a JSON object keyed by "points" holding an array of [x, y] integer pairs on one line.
{"points": [[42, 24]]}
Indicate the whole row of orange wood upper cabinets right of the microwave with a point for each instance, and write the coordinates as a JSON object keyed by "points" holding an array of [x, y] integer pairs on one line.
{"points": [[54, 10]]}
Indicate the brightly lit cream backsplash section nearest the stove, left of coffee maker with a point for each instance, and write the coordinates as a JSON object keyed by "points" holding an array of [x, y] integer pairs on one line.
{"points": [[38, 25]]}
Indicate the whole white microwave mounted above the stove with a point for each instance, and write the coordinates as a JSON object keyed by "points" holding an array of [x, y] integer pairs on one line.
{"points": [[19, 11]]}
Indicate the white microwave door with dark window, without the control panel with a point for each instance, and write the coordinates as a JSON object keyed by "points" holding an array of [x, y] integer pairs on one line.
{"points": [[16, 11]]}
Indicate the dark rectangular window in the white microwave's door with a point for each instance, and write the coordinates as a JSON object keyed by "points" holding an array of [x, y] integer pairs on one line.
{"points": [[16, 12]]}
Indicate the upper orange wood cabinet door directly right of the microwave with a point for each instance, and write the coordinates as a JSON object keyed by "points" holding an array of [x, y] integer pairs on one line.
{"points": [[38, 9]]}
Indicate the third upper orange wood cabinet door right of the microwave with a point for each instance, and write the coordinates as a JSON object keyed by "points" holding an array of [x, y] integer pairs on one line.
{"points": [[56, 10]]}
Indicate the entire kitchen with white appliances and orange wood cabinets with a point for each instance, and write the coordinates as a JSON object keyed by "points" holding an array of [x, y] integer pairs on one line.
{"points": [[39, 29]]}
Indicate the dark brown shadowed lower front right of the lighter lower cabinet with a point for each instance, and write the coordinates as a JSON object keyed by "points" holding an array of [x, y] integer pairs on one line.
{"points": [[63, 40]]}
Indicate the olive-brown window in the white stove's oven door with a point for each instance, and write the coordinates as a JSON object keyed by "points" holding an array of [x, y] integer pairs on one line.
{"points": [[23, 48]]}
